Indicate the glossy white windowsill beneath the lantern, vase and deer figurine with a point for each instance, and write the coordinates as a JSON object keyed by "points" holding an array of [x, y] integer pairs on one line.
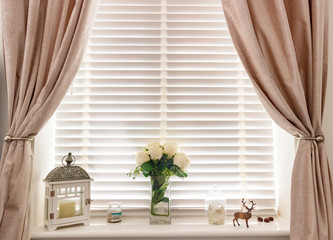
{"points": [[180, 228]]}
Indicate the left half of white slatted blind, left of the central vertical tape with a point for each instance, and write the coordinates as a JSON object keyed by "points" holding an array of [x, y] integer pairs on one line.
{"points": [[119, 85]]}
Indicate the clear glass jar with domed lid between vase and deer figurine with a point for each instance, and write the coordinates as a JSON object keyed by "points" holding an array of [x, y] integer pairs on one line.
{"points": [[215, 206]]}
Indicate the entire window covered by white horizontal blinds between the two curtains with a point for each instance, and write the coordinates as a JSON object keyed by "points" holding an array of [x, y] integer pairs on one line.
{"points": [[167, 69]]}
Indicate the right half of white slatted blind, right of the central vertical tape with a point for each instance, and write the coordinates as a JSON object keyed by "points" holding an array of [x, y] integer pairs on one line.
{"points": [[213, 111]]}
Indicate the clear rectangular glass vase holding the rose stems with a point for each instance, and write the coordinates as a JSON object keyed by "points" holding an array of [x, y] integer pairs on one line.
{"points": [[160, 211]]}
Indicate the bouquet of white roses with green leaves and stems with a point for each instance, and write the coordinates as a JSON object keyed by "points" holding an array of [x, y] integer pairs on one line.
{"points": [[160, 163]]}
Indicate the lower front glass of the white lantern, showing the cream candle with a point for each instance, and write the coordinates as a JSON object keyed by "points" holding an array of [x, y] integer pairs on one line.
{"points": [[70, 207]]}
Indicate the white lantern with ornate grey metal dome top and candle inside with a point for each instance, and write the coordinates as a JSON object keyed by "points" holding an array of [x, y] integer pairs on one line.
{"points": [[67, 195]]}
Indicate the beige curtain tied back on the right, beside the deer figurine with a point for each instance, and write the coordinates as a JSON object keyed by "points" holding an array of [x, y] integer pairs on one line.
{"points": [[283, 46]]}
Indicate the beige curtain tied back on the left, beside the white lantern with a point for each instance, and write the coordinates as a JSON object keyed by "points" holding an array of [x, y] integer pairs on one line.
{"points": [[44, 42]]}
